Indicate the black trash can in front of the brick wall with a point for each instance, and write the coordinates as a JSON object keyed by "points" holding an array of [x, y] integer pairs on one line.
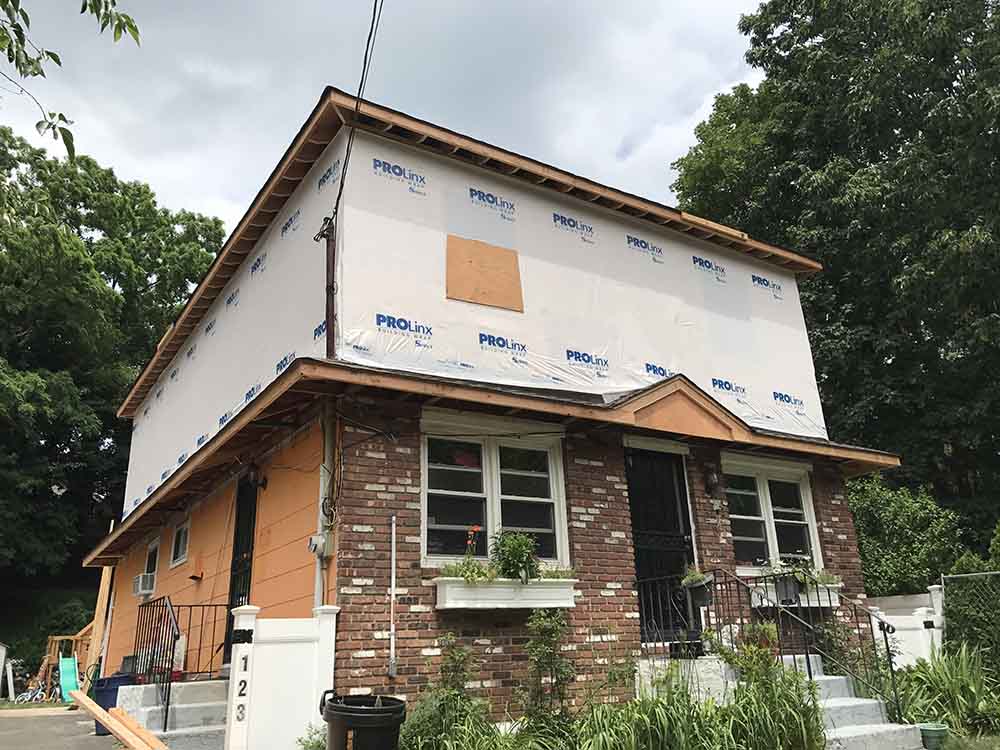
{"points": [[373, 721]]}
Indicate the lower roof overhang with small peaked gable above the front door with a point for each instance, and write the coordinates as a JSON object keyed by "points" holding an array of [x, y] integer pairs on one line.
{"points": [[675, 407]]}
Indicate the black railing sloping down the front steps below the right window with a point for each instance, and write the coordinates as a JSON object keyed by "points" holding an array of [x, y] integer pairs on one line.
{"points": [[810, 620]]}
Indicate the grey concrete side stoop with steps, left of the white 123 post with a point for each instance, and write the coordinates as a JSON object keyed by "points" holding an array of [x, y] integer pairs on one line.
{"points": [[195, 707]]}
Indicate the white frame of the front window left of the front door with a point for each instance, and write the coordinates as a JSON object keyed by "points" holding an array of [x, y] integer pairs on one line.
{"points": [[491, 433]]}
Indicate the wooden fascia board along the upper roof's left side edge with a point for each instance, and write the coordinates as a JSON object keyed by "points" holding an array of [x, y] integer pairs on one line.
{"points": [[320, 111]]}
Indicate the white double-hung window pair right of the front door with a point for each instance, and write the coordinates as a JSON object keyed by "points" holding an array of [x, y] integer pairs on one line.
{"points": [[770, 511]]}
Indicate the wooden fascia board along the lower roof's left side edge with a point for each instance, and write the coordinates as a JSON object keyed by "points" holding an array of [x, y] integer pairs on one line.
{"points": [[267, 397]]}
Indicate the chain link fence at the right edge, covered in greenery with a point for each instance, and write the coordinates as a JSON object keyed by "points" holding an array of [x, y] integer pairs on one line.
{"points": [[972, 612]]}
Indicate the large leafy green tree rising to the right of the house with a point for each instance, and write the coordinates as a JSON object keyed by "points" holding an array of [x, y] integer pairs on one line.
{"points": [[873, 145]]}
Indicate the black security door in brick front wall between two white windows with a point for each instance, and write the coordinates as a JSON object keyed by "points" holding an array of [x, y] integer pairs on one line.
{"points": [[661, 535]]}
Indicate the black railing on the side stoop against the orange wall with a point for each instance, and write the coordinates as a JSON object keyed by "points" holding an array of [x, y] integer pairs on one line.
{"points": [[160, 628]]}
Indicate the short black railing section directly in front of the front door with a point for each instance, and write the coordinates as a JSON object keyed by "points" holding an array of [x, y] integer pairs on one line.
{"points": [[669, 618]]}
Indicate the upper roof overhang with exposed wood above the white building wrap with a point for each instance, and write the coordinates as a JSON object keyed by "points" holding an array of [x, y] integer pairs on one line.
{"points": [[336, 109]]}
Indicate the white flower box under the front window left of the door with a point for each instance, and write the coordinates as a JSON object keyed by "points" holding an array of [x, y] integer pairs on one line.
{"points": [[505, 593]]}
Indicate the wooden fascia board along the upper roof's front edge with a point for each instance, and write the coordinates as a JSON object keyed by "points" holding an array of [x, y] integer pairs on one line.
{"points": [[517, 163]]}
